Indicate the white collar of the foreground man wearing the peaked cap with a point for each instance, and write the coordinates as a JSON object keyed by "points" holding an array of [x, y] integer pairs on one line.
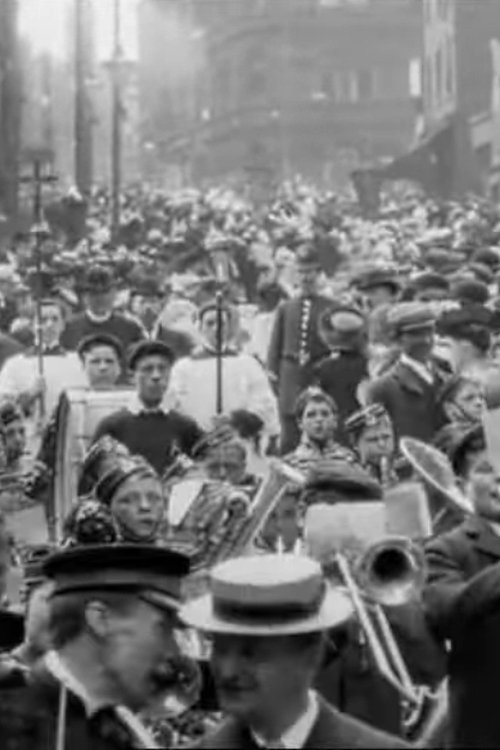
{"points": [[72, 684]]}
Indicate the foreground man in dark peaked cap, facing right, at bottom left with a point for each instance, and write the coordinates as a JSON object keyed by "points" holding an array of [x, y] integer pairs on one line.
{"points": [[114, 651]]}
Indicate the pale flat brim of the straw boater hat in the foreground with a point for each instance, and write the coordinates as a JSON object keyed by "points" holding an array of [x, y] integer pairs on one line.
{"points": [[334, 611]]}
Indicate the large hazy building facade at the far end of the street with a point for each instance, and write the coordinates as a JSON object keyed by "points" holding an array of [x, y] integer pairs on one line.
{"points": [[264, 89]]}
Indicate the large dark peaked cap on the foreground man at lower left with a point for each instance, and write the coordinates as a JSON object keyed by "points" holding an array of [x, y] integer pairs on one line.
{"points": [[154, 572]]}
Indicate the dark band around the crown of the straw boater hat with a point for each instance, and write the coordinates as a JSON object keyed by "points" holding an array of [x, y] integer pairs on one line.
{"points": [[269, 614]]}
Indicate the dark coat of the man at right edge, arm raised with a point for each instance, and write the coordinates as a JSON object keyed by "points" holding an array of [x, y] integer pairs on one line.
{"points": [[462, 600]]}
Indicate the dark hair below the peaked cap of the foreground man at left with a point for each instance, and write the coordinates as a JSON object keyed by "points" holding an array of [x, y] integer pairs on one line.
{"points": [[67, 611]]}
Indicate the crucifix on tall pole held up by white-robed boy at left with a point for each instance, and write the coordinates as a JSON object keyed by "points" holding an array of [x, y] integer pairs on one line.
{"points": [[40, 232]]}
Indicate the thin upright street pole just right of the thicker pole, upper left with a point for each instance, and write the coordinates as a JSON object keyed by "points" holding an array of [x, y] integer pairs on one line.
{"points": [[116, 145]]}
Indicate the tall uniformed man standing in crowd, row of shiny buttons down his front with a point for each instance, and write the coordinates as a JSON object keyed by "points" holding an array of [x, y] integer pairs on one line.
{"points": [[296, 345]]}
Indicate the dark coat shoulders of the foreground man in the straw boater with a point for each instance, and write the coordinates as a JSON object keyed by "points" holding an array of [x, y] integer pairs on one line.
{"points": [[331, 730]]}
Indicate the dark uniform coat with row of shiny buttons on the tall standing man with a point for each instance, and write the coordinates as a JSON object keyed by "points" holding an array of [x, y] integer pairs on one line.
{"points": [[289, 375]]}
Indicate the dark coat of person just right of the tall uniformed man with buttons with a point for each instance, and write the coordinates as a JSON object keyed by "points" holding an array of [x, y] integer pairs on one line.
{"points": [[339, 375]]}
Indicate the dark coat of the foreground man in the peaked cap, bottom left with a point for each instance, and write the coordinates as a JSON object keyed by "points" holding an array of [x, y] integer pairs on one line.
{"points": [[28, 719]]}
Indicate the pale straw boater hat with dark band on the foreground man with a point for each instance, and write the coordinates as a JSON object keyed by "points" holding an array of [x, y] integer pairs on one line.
{"points": [[268, 595]]}
